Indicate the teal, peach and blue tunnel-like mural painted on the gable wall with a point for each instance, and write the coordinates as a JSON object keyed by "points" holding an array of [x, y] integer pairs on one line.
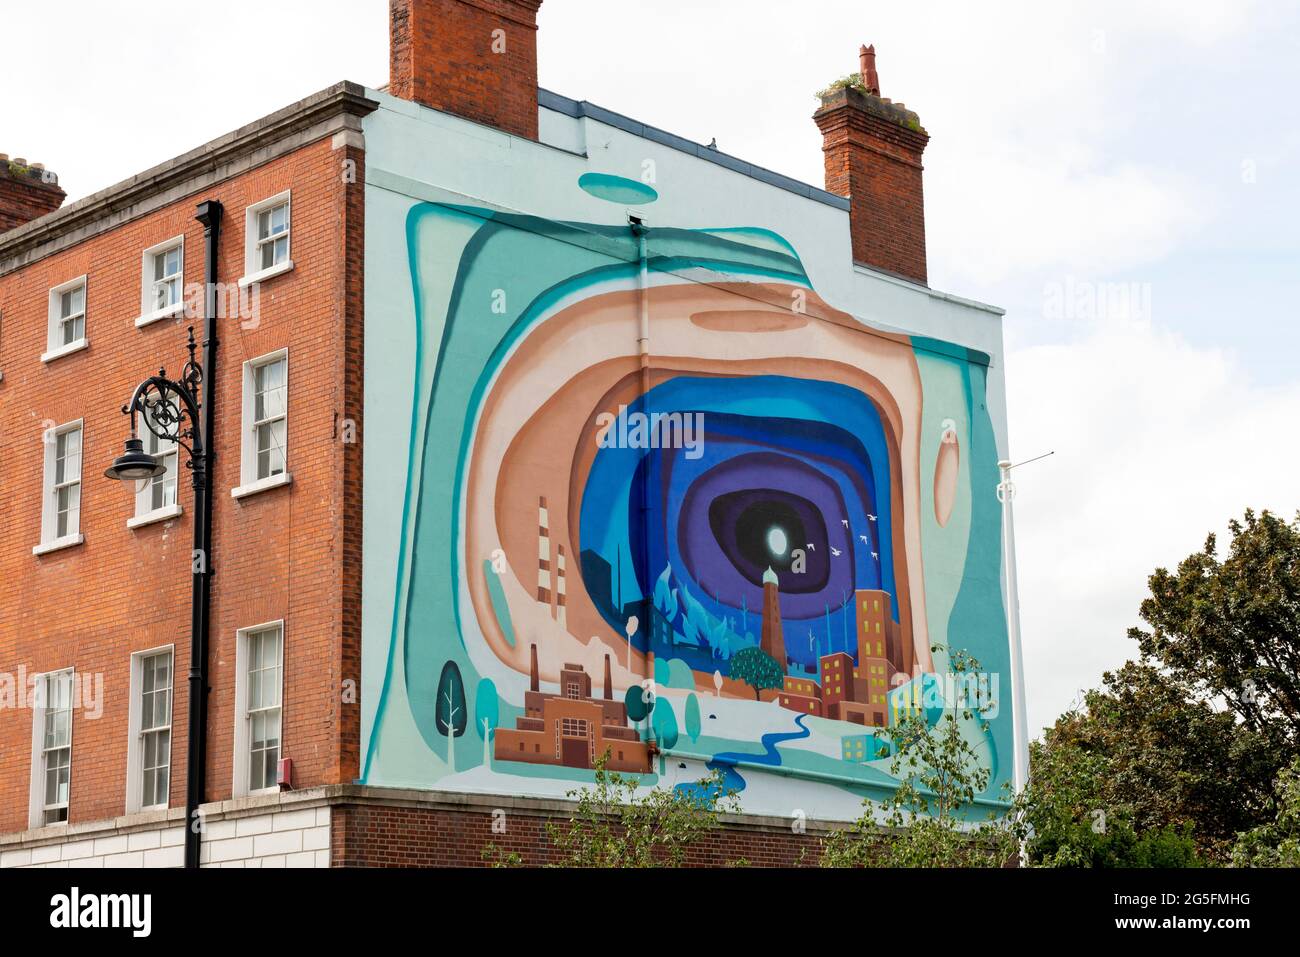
{"points": [[752, 548]]}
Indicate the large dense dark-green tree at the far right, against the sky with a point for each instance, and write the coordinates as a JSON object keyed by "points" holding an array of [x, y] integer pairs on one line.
{"points": [[1182, 751]]}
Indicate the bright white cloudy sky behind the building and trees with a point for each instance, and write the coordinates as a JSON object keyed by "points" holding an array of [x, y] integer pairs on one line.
{"points": [[1073, 145]]}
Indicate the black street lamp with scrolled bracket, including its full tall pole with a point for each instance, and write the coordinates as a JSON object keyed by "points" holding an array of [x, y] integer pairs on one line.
{"points": [[181, 412]]}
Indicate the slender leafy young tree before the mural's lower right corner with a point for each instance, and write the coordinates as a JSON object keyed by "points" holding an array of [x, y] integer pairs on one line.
{"points": [[933, 815]]}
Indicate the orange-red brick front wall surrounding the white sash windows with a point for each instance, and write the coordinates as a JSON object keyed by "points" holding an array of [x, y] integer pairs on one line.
{"points": [[285, 555]]}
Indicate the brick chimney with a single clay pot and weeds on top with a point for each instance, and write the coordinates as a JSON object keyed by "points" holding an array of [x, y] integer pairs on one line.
{"points": [[873, 155]]}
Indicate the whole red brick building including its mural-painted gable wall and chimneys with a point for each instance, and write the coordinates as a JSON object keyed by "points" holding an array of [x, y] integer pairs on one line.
{"points": [[513, 392]]}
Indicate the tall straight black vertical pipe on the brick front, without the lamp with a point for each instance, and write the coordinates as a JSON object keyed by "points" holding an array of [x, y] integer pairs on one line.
{"points": [[197, 759]]}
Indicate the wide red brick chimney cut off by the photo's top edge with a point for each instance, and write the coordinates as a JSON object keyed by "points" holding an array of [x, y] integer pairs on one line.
{"points": [[476, 59]]}
